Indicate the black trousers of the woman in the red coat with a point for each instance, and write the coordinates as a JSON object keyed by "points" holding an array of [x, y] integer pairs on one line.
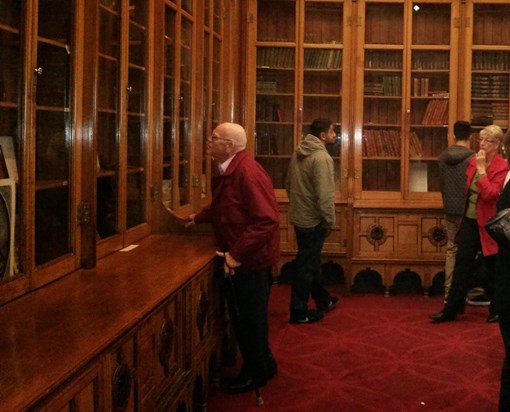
{"points": [[468, 247]]}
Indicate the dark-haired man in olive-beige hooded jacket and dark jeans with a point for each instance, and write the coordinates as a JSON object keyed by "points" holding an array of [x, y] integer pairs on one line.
{"points": [[310, 186]]}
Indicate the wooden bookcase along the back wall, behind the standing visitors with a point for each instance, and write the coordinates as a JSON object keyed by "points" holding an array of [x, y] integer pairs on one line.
{"points": [[405, 72]]}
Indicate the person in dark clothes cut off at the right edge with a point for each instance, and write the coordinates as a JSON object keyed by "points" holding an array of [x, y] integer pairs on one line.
{"points": [[502, 288]]}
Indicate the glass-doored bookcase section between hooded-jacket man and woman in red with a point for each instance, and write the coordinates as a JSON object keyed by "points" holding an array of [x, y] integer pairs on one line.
{"points": [[409, 68]]}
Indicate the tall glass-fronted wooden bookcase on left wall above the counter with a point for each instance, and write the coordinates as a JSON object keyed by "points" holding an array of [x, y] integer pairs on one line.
{"points": [[108, 104]]}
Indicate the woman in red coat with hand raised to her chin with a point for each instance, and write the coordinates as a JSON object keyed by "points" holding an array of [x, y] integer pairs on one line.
{"points": [[485, 176]]}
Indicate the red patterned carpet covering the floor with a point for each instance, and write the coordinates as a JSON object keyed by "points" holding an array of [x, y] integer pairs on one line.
{"points": [[376, 354]]}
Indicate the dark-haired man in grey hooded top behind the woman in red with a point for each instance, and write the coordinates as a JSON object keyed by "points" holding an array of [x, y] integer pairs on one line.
{"points": [[453, 162]]}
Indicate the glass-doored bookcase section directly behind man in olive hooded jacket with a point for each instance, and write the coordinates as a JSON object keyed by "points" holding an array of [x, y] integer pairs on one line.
{"points": [[299, 76]]}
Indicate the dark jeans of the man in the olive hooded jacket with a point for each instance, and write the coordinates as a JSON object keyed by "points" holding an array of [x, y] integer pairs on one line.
{"points": [[306, 280]]}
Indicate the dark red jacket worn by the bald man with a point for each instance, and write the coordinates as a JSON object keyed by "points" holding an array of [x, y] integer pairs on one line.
{"points": [[244, 213]]}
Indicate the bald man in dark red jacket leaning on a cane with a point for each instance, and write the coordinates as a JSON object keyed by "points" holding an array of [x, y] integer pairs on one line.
{"points": [[244, 216]]}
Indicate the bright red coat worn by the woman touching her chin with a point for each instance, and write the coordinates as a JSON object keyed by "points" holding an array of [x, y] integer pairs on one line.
{"points": [[489, 188]]}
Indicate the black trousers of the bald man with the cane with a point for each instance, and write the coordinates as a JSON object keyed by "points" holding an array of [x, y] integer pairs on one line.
{"points": [[247, 294]]}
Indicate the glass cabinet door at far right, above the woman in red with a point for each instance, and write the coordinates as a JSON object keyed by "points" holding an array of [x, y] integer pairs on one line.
{"points": [[490, 66]]}
